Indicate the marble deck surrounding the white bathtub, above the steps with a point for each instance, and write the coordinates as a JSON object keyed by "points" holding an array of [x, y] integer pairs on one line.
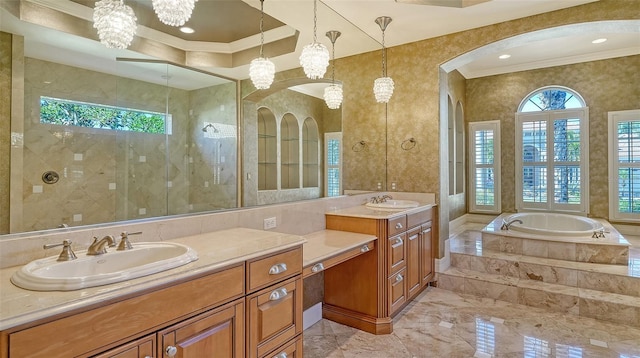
{"points": [[613, 248]]}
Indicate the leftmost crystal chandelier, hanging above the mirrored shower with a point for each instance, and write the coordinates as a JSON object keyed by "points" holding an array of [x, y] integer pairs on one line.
{"points": [[115, 22]]}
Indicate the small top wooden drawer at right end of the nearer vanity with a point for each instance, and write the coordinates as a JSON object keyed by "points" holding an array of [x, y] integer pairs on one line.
{"points": [[267, 270]]}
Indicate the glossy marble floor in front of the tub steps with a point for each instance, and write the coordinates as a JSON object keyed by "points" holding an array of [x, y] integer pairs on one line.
{"points": [[441, 323]]}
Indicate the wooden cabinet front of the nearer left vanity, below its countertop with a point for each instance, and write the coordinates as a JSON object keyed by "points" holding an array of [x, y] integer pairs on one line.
{"points": [[214, 315]]}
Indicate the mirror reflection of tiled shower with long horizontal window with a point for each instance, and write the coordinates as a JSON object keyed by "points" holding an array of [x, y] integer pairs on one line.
{"points": [[124, 148]]}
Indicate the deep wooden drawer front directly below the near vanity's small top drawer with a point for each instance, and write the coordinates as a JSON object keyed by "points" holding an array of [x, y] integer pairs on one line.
{"points": [[274, 316]]}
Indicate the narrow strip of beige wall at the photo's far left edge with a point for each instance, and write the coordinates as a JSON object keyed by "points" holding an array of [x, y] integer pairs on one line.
{"points": [[5, 128]]}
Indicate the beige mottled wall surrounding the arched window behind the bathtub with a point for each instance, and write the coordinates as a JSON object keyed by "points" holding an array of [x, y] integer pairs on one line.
{"points": [[609, 85]]}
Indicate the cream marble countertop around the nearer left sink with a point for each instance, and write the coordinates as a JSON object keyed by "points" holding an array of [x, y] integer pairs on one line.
{"points": [[216, 250]]}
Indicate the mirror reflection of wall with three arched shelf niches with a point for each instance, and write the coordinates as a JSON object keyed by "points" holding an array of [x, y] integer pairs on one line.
{"points": [[283, 142]]}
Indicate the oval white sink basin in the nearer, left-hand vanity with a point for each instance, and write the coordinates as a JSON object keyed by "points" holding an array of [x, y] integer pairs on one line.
{"points": [[145, 258]]}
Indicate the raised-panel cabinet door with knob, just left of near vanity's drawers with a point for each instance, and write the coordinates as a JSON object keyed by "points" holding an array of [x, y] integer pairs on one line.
{"points": [[217, 333]]}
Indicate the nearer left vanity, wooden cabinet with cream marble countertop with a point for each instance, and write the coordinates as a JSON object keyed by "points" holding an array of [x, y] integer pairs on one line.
{"points": [[242, 298]]}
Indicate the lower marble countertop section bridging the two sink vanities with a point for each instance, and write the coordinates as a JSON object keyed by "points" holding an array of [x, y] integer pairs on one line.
{"points": [[324, 244]]}
